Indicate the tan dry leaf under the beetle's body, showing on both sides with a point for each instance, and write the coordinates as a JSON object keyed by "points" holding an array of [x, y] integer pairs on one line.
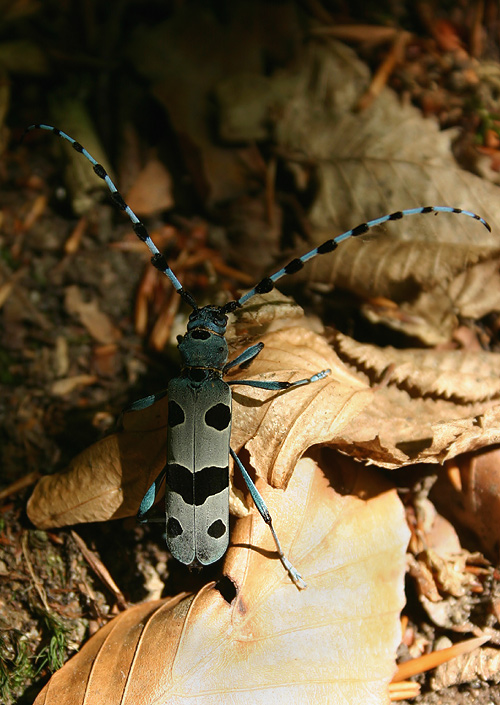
{"points": [[109, 479]]}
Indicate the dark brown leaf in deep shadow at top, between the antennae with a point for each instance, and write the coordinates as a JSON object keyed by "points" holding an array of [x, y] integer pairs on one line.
{"points": [[182, 79]]}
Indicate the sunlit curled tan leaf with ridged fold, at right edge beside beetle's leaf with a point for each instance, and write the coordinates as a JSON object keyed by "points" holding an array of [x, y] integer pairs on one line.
{"points": [[426, 416]]}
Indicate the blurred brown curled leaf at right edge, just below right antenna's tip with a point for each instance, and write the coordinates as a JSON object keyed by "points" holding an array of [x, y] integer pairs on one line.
{"points": [[451, 281]]}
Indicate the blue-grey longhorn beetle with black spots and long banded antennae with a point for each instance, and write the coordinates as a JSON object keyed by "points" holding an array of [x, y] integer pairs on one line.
{"points": [[196, 473]]}
